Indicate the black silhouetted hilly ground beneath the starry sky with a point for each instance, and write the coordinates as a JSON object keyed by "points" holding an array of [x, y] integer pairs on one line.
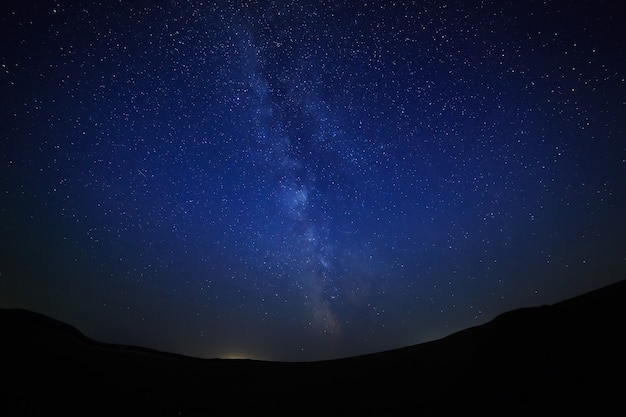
{"points": [[563, 359]]}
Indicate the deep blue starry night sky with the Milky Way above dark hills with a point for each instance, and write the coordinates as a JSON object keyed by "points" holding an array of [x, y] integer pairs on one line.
{"points": [[296, 181]]}
